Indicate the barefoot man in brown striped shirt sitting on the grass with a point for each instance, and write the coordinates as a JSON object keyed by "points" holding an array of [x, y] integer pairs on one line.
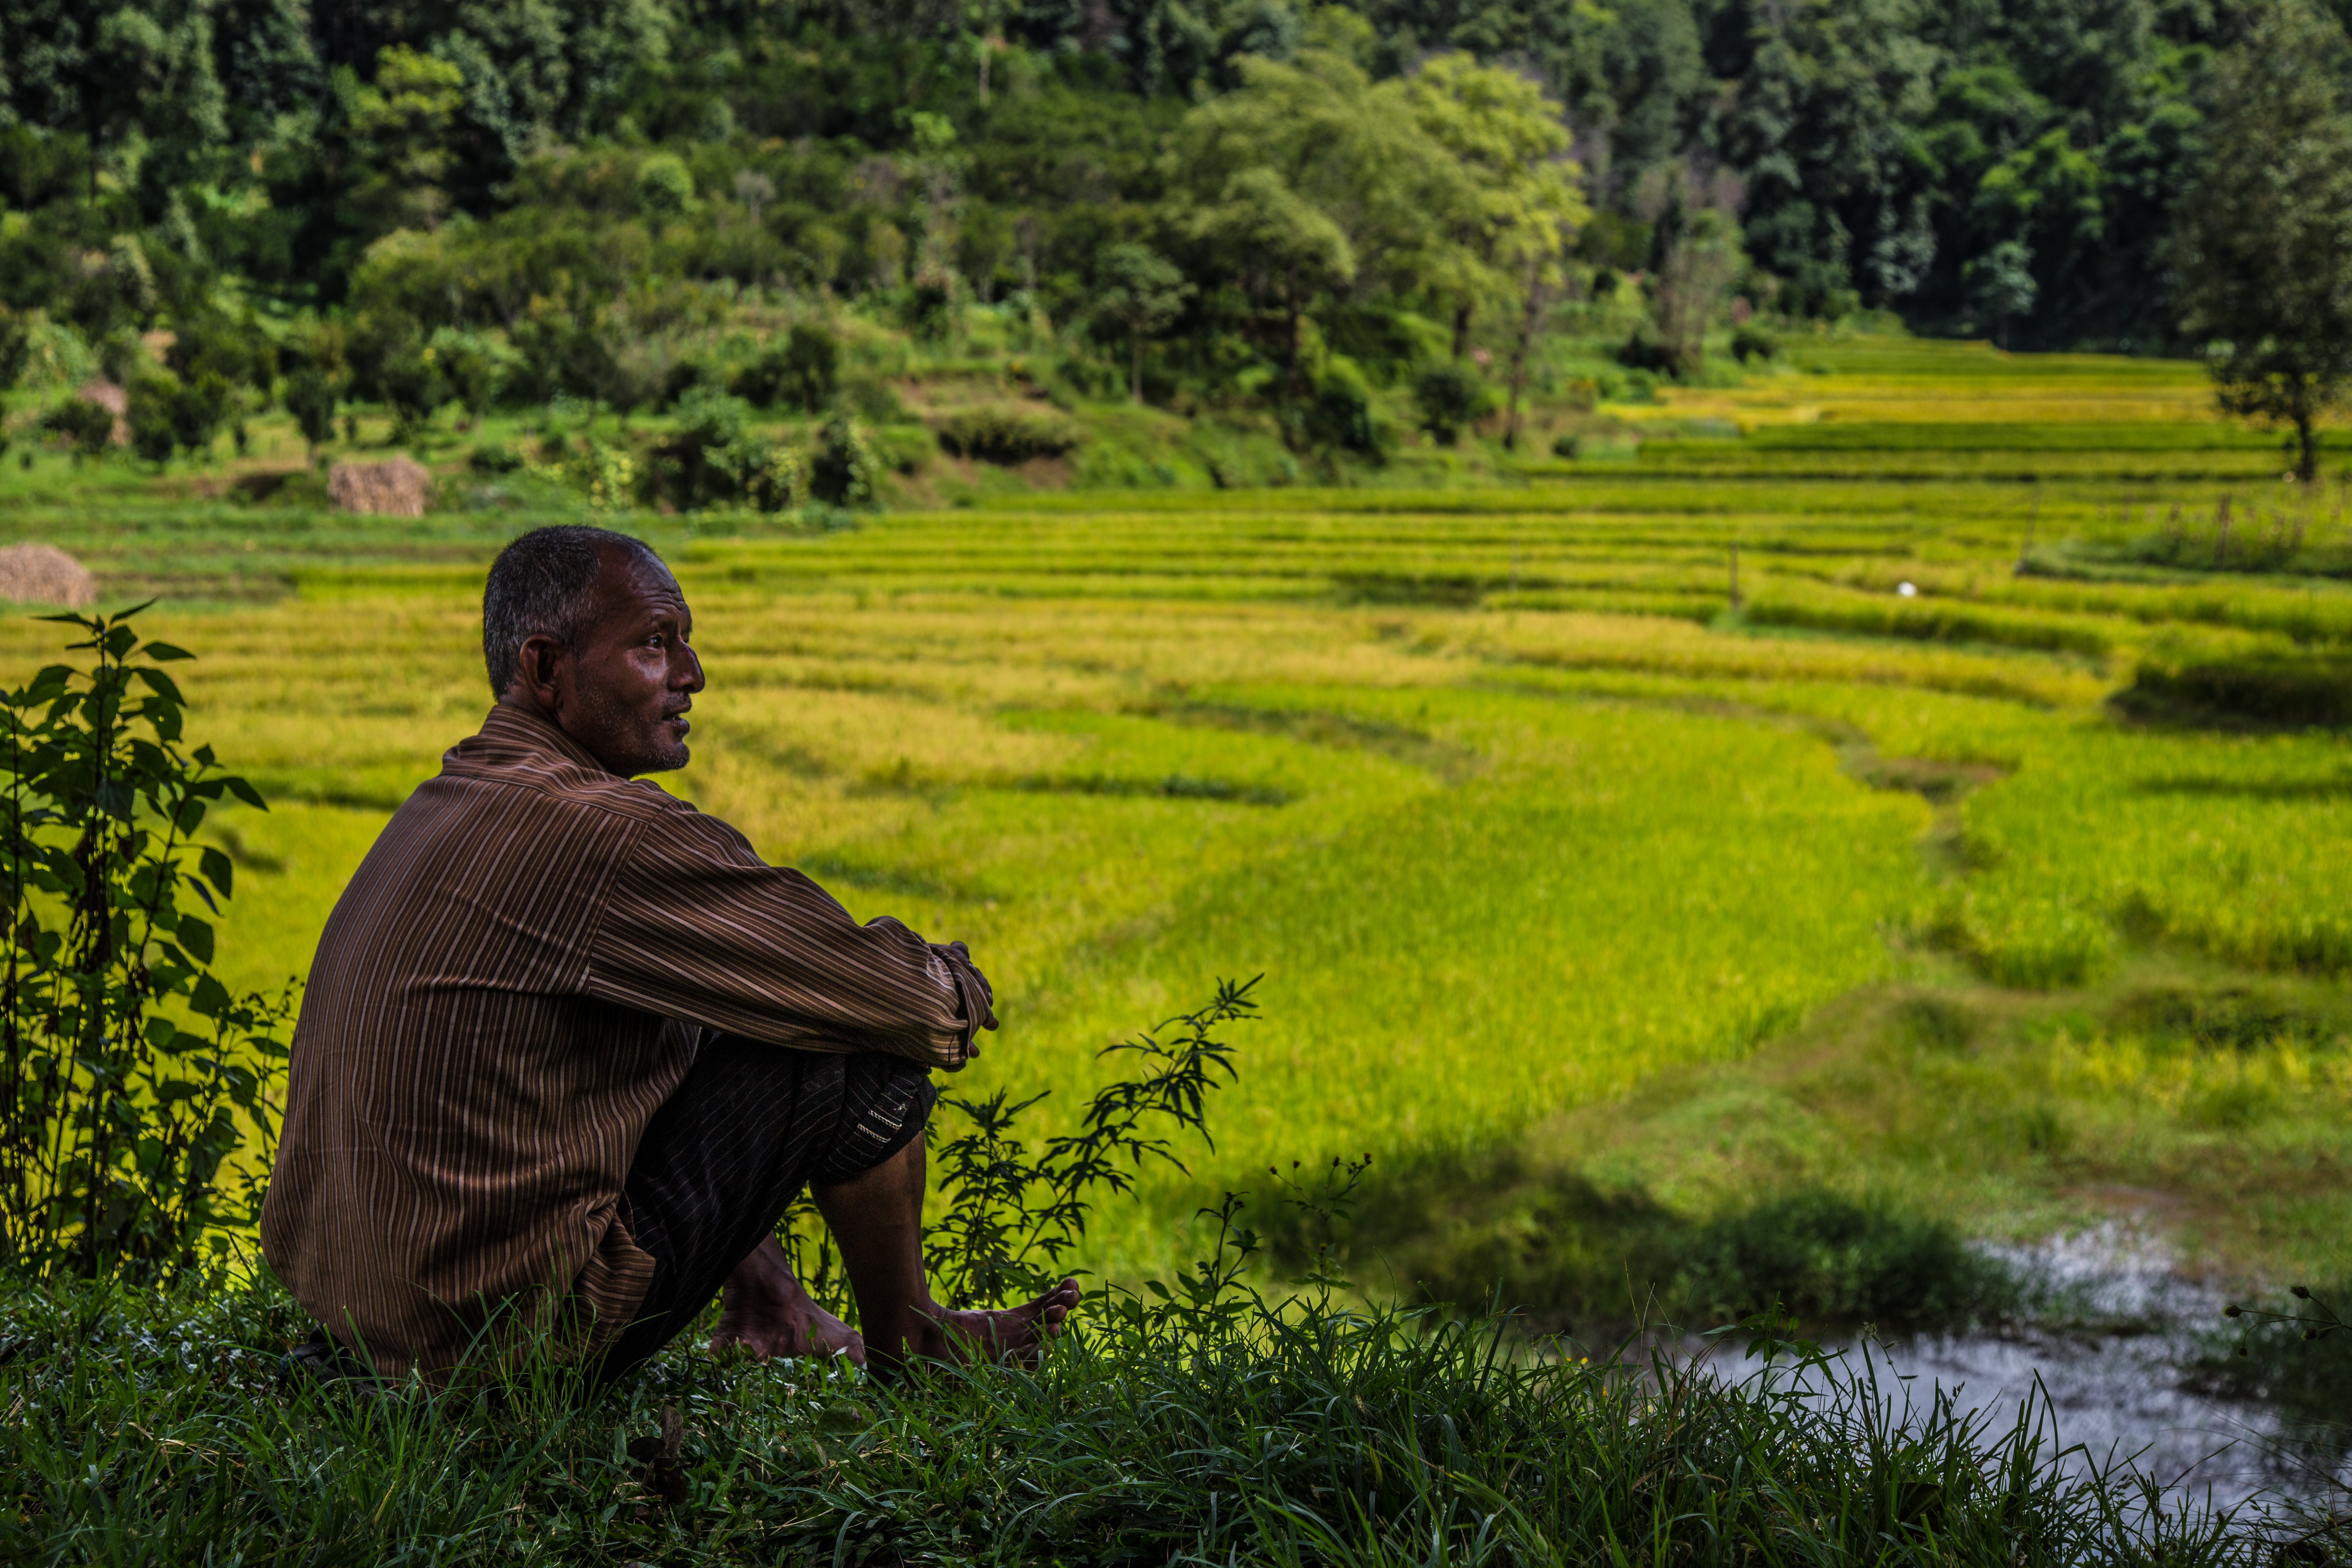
{"points": [[570, 1047]]}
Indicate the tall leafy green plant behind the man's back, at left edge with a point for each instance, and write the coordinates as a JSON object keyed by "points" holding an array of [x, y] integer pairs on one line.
{"points": [[128, 1073]]}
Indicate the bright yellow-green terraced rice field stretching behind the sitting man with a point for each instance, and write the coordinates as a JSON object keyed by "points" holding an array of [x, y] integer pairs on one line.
{"points": [[1579, 887]]}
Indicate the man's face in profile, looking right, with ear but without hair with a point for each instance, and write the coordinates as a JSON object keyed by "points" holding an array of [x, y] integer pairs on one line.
{"points": [[624, 692]]}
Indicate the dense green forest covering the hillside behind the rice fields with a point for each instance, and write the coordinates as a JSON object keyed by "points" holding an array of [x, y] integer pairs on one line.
{"points": [[1215, 203]]}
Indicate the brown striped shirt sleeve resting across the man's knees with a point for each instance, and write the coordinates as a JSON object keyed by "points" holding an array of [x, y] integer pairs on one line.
{"points": [[697, 927]]}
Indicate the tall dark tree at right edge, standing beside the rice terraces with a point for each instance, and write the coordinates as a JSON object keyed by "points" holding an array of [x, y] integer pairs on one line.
{"points": [[2266, 239]]}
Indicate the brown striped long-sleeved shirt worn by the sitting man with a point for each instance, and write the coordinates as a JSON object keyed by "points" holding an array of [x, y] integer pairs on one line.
{"points": [[509, 989]]}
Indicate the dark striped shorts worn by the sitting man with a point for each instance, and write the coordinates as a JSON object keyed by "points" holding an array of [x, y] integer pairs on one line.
{"points": [[726, 1155]]}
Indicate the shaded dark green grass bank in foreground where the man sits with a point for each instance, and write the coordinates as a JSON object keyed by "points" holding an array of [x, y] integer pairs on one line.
{"points": [[1283, 1435]]}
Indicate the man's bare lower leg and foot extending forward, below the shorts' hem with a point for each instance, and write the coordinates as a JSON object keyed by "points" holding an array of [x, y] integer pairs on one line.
{"points": [[878, 1224]]}
